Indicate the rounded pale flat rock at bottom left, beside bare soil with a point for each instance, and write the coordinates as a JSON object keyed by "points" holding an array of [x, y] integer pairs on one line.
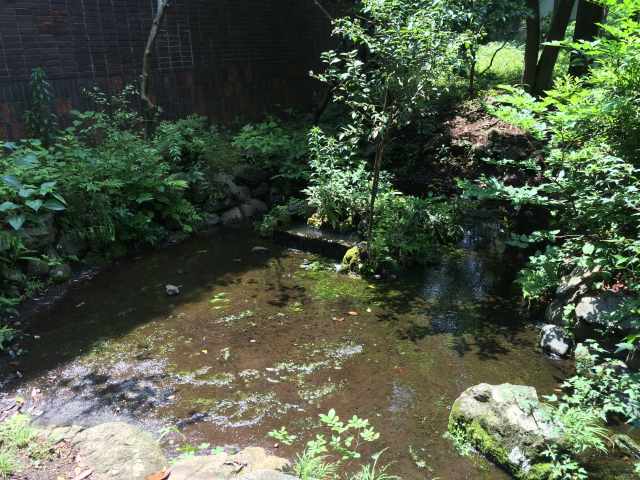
{"points": [[118, 450]]}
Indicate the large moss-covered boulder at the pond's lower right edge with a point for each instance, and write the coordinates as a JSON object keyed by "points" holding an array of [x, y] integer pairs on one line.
{"points": [[506, 423]]}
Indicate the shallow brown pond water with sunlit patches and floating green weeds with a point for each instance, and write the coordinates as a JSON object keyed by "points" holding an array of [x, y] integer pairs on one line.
{"points": [[257, 340]]}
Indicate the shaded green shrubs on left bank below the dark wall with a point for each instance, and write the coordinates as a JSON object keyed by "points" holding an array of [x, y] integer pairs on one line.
{"points": [[101, 188]]}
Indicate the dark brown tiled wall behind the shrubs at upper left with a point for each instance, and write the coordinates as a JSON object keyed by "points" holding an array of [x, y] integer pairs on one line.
{"points": [[224, 59]]}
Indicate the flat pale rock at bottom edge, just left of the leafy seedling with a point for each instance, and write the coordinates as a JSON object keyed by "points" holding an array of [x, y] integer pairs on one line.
{"points": [[252, 463]]}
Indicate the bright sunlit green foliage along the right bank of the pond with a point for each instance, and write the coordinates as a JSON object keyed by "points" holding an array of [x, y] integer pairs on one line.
{"points": [[585, 175]]}
